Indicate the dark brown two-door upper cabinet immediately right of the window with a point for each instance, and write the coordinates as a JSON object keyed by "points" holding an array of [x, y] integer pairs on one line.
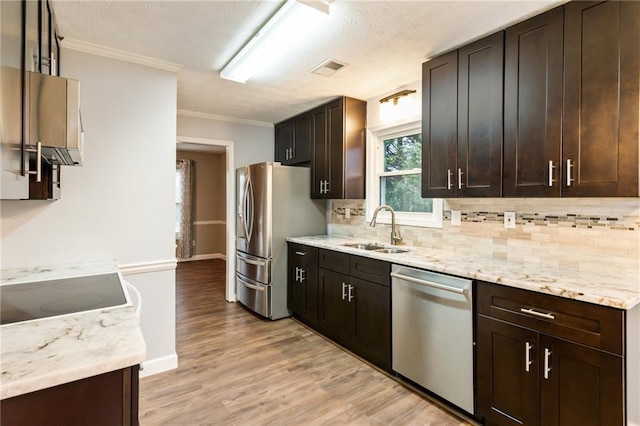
{"points": [[462, 121]]}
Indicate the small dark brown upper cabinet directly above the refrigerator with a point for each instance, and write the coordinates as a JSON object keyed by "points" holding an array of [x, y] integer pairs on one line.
{"points": [[293, 140]]}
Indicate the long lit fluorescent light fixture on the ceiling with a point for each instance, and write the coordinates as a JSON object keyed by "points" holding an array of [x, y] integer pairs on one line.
{"points": [[294, 19]]}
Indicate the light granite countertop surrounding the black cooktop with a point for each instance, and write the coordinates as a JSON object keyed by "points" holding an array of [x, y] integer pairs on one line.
{"points": [[47, 352]]}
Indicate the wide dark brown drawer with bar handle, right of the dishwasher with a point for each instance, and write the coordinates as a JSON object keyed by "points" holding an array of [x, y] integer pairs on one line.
{"points": [[592, 325]]}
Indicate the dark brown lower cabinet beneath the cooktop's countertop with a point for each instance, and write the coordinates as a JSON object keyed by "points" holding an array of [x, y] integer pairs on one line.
{"points": [[107, 399]]}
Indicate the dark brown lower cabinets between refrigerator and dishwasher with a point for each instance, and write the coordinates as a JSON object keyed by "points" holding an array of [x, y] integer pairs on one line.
{"points": [[345, 297]]}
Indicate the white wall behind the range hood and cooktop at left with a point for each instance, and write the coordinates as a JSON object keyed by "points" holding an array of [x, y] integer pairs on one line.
{"points": [[120, 203]]}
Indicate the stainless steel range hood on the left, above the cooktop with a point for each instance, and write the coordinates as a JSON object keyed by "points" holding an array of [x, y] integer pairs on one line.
{"points": [[52, 117]]}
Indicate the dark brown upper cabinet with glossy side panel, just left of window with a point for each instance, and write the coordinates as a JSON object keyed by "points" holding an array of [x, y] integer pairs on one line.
{"points": [[338, 156]]}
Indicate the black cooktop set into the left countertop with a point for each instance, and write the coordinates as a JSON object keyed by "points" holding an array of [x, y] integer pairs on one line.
{"points": [[42, 299]]}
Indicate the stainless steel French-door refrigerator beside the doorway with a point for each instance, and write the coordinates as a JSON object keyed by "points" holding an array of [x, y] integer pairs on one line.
{"points": [[273, 203]]}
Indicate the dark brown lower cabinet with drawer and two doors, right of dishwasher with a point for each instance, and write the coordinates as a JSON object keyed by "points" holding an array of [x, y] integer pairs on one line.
{"points": [[547, 360]]}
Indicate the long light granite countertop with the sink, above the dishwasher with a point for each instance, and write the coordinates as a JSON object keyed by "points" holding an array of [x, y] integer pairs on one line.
{"points": [[618, 291]]}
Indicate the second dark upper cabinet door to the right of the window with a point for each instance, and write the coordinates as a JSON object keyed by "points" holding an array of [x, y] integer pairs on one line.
{"points": [[480, 76]]}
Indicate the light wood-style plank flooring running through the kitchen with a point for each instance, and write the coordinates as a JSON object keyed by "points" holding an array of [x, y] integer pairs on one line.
{"points": [[237, 369]]}
